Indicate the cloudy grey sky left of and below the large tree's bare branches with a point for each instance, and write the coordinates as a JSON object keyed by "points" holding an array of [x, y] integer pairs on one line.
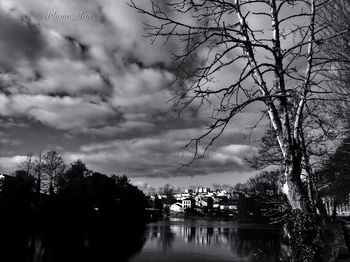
{"points": [[80, 77]]}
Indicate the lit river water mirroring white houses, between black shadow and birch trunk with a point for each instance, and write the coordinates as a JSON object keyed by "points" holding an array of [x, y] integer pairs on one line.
{"points": [[189, 240]]}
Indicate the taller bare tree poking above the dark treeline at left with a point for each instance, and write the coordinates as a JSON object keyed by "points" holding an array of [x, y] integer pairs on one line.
{"points": [[53, 166]]}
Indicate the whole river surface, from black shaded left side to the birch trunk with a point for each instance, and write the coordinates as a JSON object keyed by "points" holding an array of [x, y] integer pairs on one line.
{"points": [[176, 239]]}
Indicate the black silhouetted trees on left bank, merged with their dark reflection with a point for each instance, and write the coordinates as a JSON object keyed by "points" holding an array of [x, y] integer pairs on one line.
{"points": [[81, 214]]}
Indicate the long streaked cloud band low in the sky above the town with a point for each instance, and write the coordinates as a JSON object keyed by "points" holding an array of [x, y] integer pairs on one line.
{"points": [[162, 156]]}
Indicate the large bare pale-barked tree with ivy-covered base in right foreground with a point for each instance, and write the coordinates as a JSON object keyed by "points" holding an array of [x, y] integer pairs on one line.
{"points": [[272, 52]]}
